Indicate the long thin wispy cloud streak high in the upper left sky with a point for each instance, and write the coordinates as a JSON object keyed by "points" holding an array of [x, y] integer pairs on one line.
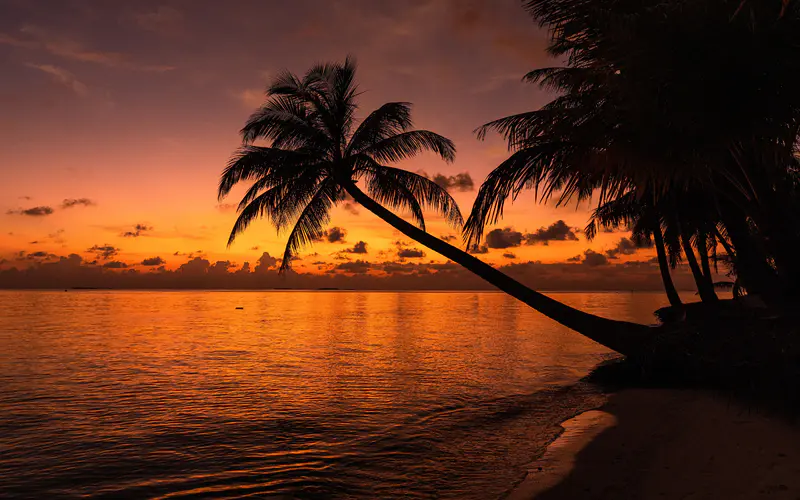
{"points": [[39, 38]]}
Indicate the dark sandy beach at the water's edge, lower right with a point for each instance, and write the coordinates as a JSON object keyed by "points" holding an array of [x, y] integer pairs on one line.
{"points": [[669, 444]]}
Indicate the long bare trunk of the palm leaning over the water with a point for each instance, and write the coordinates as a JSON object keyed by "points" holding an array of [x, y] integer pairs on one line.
{"points": [[623, 337]]}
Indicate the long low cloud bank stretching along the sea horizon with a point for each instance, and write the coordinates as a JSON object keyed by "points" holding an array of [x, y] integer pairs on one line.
{"points": [[51, 271]]}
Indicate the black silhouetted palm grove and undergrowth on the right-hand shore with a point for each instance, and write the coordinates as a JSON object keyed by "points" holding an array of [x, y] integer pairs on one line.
{"points": [[680, 120]]}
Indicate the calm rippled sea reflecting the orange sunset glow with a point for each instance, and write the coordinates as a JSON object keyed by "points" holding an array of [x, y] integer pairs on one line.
{"points": [[297, 395]]}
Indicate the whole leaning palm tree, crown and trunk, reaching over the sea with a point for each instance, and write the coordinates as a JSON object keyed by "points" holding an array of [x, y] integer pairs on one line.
{"points": [[317, 154]]}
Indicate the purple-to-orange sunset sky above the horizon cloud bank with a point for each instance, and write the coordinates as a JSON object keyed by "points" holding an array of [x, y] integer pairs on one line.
{"points": [[118, 118]]}
